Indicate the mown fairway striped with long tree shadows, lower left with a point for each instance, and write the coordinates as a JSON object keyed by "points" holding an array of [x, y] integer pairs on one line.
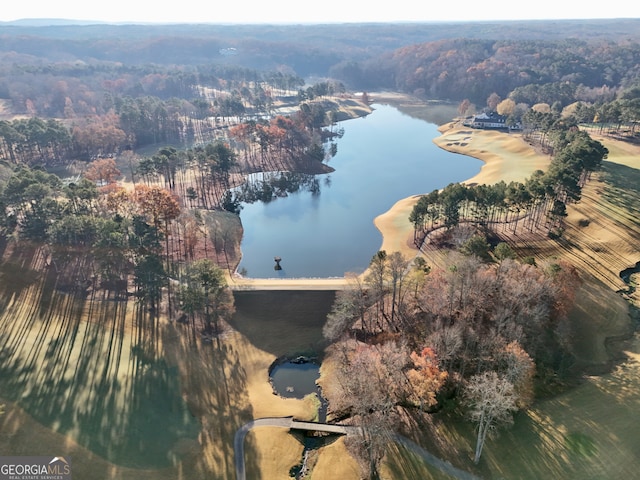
{"points": [[72, 363]]}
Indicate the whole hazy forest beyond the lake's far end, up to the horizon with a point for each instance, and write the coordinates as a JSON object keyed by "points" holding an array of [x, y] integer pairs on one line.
{"points": [[128, 86]]}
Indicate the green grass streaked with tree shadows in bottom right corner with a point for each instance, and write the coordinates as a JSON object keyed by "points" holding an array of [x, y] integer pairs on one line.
{"points": [[587, 433]]}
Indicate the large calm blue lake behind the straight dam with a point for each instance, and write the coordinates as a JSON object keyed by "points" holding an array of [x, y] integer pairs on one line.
{"points": [[381, 159]]}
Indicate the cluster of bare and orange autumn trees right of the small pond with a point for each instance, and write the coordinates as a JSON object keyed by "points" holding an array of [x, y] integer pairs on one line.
{"points": [[478, 337]]}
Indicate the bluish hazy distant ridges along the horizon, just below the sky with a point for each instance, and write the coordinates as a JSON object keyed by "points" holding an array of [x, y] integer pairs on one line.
{"points": [[307, 49]]}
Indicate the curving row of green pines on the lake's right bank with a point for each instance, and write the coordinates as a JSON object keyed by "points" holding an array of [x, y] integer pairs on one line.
{"points": [[538, 202]]}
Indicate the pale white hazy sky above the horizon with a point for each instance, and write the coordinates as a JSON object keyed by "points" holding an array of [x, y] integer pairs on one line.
{"points": [[323, 11]]}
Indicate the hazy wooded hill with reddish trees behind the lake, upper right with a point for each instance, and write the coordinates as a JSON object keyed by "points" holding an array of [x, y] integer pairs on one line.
{"points": [[537, 70]]}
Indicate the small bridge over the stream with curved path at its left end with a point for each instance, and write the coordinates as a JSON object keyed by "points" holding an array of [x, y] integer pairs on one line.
{"points": [[284, 422]]}
